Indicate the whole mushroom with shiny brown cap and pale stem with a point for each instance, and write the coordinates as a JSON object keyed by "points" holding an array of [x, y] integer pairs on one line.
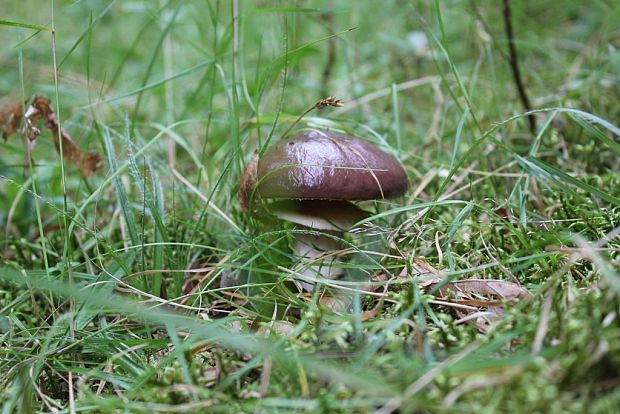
{"points": [[314, 176]]}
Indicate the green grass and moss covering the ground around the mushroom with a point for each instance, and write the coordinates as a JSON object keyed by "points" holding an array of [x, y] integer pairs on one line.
{"points": [[110, 294]]}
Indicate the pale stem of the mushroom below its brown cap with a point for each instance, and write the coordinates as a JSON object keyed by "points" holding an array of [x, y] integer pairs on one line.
{"points": [[318, 254]]}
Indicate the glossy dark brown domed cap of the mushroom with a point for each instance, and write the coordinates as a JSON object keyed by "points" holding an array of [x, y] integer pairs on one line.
{"points": [[326, 165]]}
